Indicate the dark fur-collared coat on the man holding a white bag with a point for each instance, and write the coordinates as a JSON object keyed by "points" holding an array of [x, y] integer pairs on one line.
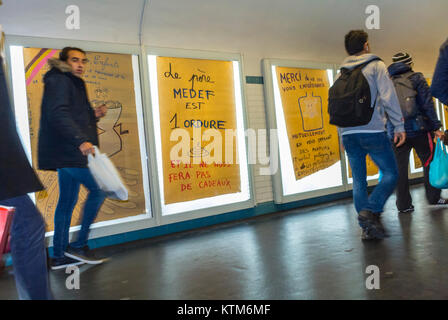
{"points": [[67, 119]]}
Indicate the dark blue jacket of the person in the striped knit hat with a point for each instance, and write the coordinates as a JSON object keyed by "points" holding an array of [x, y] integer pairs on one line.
{"points": [[424, 100]]}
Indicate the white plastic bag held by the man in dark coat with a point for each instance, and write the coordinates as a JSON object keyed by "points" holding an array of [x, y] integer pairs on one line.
{"points": [[107, 176]]}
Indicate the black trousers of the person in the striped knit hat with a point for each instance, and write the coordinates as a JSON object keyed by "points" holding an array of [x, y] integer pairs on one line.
{"points": [[424, 146]]}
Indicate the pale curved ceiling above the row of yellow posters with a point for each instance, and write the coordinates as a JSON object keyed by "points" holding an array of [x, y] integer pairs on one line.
{"points": [[288, 29]]}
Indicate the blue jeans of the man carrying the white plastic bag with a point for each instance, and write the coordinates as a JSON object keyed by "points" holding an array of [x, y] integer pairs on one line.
{"points": [[70, 180]]}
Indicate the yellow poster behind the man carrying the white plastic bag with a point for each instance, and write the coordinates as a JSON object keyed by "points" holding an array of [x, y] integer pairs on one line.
{"points": [[109, 79]]}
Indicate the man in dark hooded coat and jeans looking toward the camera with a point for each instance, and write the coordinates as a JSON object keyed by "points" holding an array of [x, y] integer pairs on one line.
{"points": [[67, 134]]}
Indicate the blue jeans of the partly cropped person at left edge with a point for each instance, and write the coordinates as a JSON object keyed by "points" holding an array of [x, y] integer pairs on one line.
{"points": [[28, 251]]}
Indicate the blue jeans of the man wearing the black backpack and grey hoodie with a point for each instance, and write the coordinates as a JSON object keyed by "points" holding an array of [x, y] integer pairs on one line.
{"points": [[378, 146]]}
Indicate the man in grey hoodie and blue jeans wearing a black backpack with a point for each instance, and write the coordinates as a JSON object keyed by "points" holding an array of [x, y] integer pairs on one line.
{"points": [[358, 102]]}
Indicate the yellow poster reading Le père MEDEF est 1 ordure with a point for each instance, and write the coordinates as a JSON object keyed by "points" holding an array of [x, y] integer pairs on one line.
{"points": [[196, 95]]}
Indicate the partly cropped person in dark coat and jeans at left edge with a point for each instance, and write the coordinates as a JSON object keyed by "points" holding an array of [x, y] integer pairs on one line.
{"points": [[17, 179]]}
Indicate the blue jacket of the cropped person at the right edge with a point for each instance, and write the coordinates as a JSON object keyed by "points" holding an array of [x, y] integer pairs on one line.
{"points": [[439, 87]]}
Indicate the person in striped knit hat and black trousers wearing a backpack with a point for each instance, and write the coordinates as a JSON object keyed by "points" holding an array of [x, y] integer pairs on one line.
{"points": [[421, 125]]}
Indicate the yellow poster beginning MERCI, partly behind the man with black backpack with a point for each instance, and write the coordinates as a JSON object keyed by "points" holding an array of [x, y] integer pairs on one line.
{"points": [[313, 141]]}
